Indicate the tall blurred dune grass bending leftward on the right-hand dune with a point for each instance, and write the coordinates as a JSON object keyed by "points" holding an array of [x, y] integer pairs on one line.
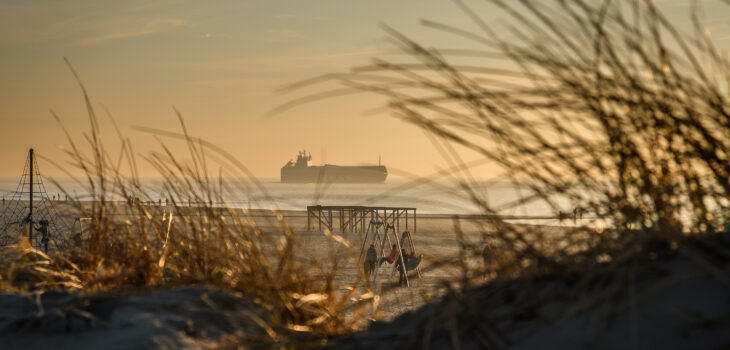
{"points": [[605, 105]]}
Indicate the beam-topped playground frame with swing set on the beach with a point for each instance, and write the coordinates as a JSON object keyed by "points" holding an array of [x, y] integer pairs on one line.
{"points": [[378, 225]]}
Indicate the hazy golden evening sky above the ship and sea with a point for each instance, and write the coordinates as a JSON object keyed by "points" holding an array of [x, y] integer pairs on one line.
{"points": [[220, 63]]}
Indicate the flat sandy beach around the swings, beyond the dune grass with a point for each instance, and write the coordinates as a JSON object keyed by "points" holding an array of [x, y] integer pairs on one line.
{"points": [[435, 238]]}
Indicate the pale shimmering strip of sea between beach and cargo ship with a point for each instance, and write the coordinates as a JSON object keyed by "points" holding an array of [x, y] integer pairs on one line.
{"points": [[442, 196]]}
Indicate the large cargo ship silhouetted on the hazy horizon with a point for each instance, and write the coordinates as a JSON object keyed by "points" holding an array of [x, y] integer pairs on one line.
{"points": [[301, 172]]}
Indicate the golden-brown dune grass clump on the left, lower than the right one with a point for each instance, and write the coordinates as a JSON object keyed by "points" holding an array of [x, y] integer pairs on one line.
{"points": [[134, 243]]}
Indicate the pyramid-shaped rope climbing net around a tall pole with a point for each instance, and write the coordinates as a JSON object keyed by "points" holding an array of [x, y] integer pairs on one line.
{"points": [[31, 211]]}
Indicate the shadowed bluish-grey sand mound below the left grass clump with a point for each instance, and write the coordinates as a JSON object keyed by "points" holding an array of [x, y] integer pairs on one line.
{"points": [[190, 317]]}
